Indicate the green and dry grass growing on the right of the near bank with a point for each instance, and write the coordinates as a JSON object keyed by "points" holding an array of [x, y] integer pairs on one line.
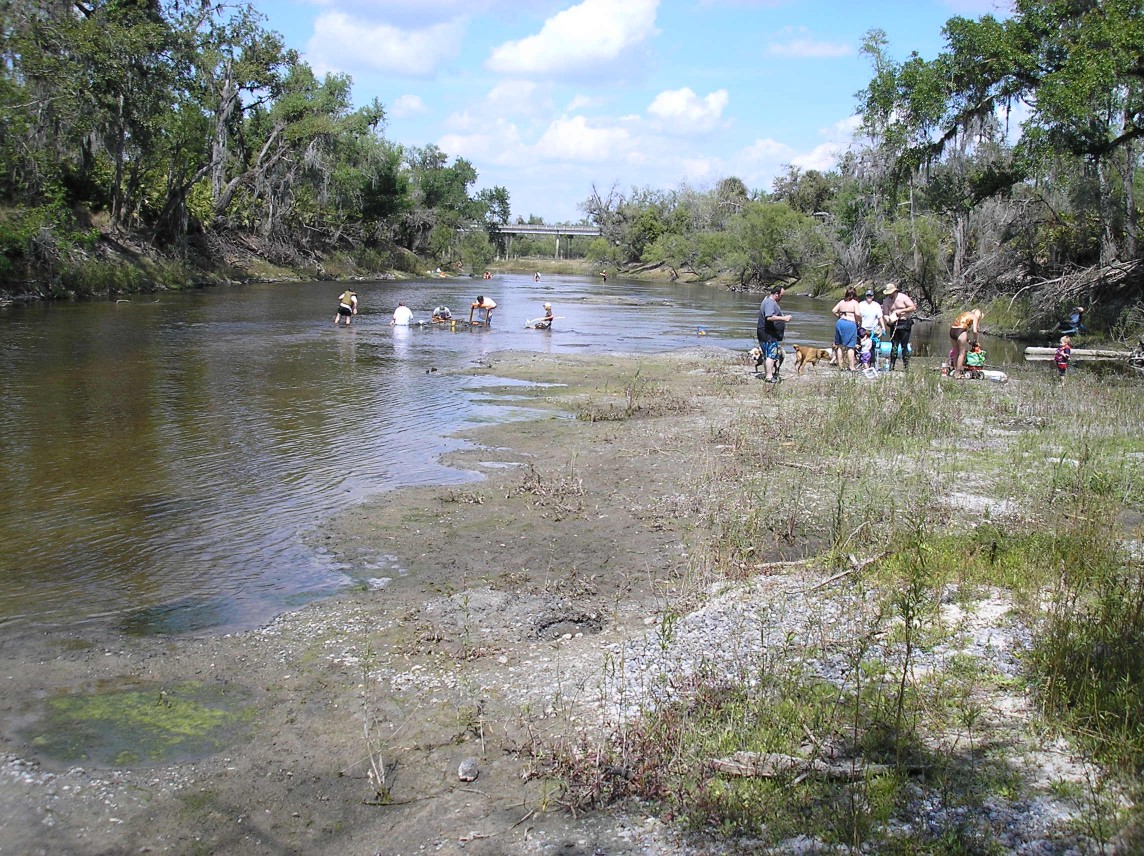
{"points": [[943, 490]]}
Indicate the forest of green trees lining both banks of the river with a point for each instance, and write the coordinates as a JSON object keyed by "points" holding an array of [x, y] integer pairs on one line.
{"points": [[160, 144]]}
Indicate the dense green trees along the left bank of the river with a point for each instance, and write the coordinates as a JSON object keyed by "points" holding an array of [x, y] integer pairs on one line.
{"points": [[176, 122]]}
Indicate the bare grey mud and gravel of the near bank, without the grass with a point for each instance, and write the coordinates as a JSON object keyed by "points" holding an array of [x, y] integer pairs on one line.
{"points": [[557, 599]]}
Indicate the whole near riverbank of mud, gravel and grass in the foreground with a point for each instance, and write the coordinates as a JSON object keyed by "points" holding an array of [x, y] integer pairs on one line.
{"points": [[672, 565]]}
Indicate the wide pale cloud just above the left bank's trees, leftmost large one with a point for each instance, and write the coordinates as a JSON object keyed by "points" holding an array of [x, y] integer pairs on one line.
{"points": [[341, 42]]}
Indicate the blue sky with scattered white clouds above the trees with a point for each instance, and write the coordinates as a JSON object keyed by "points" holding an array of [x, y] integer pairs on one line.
{"points": [[550, 98]]}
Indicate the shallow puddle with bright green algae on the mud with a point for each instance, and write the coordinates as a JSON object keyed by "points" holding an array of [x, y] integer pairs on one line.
{"points": [[142, 724]]}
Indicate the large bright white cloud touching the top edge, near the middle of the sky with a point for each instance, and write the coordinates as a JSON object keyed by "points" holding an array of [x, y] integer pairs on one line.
{"points": [[579, 38]]}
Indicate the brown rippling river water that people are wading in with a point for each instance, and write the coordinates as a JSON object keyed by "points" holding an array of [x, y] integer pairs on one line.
{"points": [[162, 461]]}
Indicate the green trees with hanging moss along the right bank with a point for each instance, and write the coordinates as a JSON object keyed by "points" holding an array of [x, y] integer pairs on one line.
{"points": [[1008, 165]]}
